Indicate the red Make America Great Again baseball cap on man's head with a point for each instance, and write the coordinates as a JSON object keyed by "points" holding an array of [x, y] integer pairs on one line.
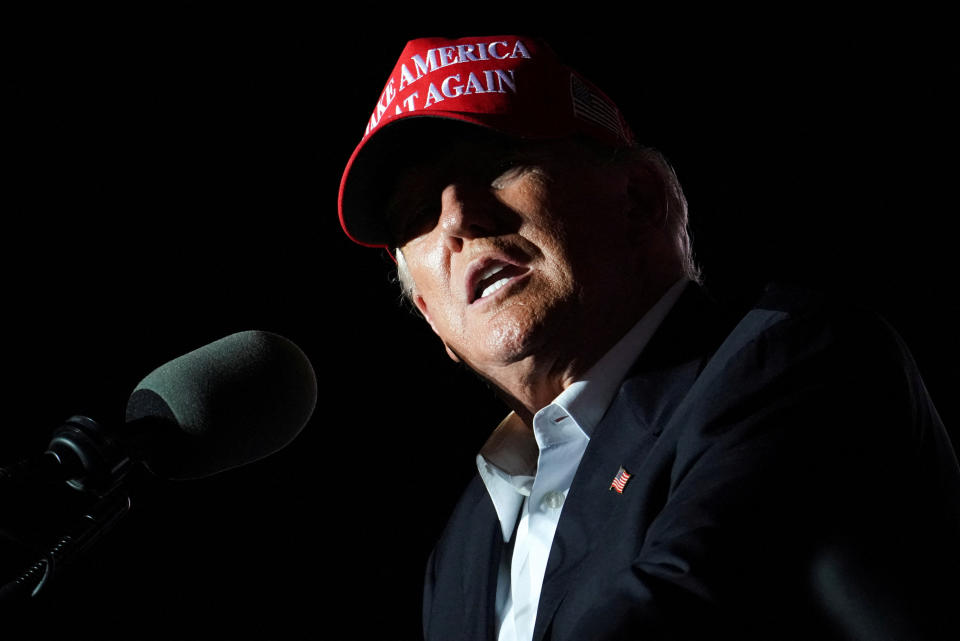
{"points": [[514, 85]]}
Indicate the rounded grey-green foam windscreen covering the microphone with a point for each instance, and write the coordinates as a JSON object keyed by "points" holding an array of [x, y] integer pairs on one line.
{"points": [[226, 404]]}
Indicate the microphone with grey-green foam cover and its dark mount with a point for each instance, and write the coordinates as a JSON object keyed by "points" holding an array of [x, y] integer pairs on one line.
{"points": [[221, 406]]}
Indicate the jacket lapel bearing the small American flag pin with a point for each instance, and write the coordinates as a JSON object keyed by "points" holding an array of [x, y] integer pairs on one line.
{"points": [[653, 389]]}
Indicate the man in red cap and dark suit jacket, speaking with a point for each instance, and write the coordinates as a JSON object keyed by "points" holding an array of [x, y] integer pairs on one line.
{"points": [[668, 470]]}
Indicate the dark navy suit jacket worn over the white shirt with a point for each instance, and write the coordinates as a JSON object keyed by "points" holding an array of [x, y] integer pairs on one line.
{"points": [[791, 480]]}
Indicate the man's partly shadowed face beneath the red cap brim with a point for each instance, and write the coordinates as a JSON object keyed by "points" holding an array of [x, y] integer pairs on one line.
{"points": [[512, 246]]}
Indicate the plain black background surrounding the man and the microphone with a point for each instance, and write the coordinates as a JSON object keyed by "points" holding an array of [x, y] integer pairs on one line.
{"points": [[170, 177]]}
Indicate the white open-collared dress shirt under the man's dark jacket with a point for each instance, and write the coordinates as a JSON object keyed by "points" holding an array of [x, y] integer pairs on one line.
{"points": [[529, 477]]}
